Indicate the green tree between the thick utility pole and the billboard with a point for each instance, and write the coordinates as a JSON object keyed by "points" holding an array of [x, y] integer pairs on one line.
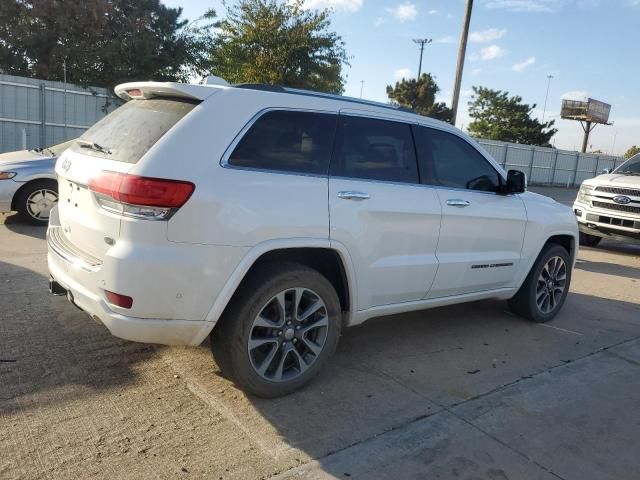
{"points": [[498, 116]]}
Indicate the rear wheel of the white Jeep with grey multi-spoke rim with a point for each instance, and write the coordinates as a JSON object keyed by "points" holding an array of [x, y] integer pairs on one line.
{"points": [[279, 330]]}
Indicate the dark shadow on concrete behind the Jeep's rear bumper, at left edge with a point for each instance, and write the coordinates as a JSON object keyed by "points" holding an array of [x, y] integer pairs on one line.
{"points": [[51, 352]]}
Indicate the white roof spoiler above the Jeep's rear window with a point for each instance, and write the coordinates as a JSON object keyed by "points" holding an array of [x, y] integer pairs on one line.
{"points": [[146, 90]]}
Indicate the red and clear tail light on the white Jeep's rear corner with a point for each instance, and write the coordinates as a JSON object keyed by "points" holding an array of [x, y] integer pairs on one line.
{"points": [[142, 197]]}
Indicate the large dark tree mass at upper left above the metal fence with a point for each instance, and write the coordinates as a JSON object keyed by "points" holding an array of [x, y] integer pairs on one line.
{"points": [[102, 42]]}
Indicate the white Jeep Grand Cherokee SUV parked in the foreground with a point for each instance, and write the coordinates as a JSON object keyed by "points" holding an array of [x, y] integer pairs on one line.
{"points": [[271, 218]]}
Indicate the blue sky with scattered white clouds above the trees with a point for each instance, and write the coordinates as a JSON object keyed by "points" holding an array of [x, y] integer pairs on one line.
{"points": [[591, 47]]}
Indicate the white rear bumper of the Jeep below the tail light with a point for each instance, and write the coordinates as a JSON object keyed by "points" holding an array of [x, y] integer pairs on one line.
{"points": [[173, 285]]}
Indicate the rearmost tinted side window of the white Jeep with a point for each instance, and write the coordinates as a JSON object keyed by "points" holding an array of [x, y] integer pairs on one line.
{"points": [[288, 141]]}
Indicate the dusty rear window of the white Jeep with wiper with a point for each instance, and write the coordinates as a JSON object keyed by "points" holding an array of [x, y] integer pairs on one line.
{"points": [[130, 131]]}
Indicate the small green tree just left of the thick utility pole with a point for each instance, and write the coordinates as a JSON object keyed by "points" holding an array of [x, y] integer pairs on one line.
{"points": [[420, 96]]}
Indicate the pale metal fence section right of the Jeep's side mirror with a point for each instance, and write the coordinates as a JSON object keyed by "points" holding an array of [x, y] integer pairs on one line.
{"points": [[549, 166]]}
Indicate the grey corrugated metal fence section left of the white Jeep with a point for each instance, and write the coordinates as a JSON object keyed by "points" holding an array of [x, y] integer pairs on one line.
{"points": [[38, 113]]}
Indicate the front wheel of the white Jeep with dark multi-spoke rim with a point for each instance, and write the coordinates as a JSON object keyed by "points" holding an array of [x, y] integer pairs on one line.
{"points": [[545, 289]]}
